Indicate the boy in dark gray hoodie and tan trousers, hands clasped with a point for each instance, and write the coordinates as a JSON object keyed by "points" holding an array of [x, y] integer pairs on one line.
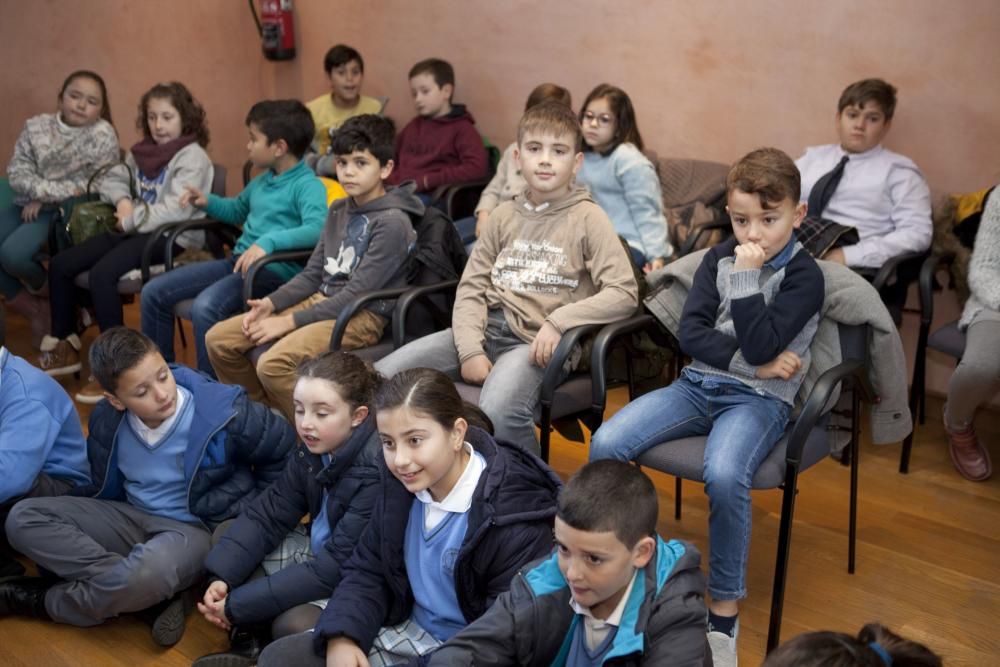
{"points": [[365, 241]]}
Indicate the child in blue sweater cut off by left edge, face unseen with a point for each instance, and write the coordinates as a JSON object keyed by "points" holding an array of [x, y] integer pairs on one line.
{"points": [[42, 449]]}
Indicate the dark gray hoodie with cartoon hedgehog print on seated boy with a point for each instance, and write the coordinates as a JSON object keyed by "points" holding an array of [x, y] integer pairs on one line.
{"points": [[362, 248]]}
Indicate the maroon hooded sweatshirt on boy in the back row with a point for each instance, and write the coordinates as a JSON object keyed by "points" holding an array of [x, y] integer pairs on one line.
{"points": [[440, 151]]}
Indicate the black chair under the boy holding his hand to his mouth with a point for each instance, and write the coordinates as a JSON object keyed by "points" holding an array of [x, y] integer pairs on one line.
{"points": [[804, 444]]}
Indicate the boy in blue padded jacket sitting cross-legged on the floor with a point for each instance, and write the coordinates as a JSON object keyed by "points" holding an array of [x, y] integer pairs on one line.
{"points": [[172, 454]]}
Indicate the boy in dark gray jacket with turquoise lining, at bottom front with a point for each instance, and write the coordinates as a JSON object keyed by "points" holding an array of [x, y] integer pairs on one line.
{"points": [[613, 593]]}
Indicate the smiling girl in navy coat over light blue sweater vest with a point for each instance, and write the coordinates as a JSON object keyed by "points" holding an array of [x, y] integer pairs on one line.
{"points": [[458, 514]]}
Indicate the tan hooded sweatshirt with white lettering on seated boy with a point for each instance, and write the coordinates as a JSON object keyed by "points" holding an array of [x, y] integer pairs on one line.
{"points": [[560, 263]]}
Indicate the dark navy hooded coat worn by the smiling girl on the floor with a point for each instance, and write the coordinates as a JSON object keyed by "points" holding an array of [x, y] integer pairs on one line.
{"points": [[509, 525]]}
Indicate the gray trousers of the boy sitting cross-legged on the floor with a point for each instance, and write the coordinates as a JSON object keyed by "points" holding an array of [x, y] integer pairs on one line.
{"points": [[113, 557]]}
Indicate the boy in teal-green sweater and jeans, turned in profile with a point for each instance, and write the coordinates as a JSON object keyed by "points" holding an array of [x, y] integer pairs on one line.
{"points": [[282, 209]]}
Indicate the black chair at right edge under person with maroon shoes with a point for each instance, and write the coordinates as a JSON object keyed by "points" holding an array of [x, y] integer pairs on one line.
{"points": [[947, 339]]}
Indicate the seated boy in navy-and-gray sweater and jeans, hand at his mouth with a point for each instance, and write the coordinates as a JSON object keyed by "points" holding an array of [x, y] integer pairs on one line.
{"points": [[751, 314]]}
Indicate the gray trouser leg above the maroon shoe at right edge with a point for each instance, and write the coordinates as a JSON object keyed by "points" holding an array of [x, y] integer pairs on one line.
{"points": [[977, 377]]}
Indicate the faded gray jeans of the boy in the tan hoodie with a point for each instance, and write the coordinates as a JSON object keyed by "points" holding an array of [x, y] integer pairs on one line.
{"points": [[510, 393]]}
